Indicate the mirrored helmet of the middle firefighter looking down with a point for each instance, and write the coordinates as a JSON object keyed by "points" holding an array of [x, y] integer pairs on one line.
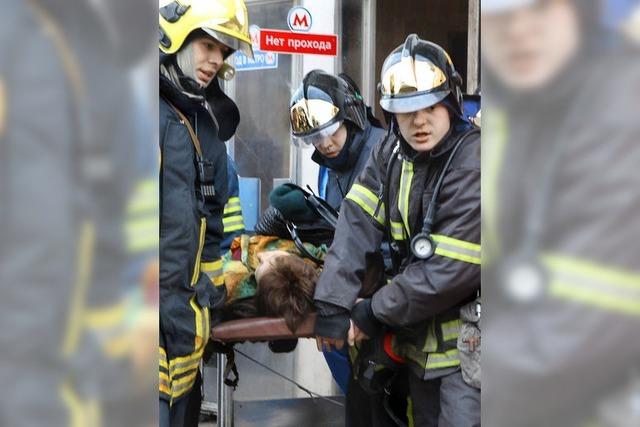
{"points": [[321, 104]]}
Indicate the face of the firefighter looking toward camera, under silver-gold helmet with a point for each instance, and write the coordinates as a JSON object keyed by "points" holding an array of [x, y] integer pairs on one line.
{"points": [[424, 129]]}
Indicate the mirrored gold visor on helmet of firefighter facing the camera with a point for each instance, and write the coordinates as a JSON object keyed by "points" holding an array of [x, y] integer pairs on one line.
{"points": [[411, 75]]}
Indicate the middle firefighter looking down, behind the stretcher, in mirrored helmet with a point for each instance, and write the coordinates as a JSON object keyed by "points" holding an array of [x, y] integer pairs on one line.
{"points": [[328, 113]]}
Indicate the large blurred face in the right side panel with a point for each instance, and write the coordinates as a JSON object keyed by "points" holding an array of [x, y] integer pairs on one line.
{"points": [[528, 47]]}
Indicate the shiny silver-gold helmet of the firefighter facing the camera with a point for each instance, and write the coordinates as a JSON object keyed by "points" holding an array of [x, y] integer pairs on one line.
{"points": [[417, 75]]}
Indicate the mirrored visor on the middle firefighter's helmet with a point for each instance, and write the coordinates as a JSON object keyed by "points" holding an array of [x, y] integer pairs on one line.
{"points": [[311, 115]]}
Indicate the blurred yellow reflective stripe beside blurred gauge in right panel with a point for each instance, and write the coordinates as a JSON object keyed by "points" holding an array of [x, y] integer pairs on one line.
{"points": [[595, 285]]}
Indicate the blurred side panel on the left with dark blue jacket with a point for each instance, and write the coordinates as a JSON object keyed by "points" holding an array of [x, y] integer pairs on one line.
{"points": [[78, 213]]}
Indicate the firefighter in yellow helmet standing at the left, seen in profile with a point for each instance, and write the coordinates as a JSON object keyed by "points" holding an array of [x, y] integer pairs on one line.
{"points": [[196, 117]]}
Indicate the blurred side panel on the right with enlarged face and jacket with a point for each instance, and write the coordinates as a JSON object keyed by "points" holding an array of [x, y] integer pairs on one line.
{"points": [[560, 196]]}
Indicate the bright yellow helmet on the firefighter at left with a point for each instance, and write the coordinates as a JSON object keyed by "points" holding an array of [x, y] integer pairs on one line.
{"points": [[225, 20]]}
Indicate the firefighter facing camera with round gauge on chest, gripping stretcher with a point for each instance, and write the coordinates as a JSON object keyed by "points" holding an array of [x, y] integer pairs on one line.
{"points": [[420, 187]]}
